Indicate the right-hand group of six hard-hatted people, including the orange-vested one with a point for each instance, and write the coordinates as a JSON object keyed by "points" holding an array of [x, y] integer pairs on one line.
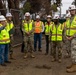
{"points": [[55, 34]]}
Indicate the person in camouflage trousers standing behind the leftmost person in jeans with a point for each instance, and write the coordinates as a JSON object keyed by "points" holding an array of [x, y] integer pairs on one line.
{"points": [[10, 28]]}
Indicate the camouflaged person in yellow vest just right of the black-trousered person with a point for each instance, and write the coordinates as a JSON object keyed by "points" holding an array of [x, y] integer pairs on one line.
{"points": [[57, 30]]}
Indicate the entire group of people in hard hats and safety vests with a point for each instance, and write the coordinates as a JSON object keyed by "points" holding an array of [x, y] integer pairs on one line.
{"points": [[55, 34]]}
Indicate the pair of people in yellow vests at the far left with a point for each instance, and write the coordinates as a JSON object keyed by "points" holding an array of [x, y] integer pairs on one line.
{"points": [[6, 38]]}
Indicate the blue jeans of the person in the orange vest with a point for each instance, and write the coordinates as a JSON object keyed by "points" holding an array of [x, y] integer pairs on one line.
{"points": [[37, 38]]}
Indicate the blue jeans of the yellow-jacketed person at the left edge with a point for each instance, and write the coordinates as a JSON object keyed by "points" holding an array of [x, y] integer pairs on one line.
{"points": [[4, 49]]}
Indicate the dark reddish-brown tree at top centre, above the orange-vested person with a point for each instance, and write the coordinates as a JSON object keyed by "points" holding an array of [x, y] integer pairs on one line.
{"points": [[36, 5]]}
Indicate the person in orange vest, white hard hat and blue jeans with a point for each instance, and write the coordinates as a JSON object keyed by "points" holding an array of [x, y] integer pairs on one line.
{"points": [[39, 28]]}
